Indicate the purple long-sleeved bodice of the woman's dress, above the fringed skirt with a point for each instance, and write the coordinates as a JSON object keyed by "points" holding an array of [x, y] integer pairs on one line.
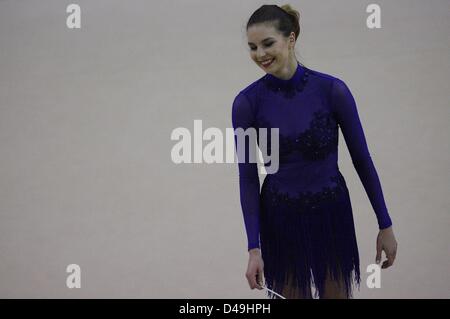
{"points": [[307, 109]]}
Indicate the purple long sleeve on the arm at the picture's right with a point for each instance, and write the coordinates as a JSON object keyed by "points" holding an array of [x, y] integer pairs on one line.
{"points": [[345, 109]]}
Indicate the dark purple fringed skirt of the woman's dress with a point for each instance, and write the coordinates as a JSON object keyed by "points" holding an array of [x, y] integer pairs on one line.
{"points": [[308, 239]]}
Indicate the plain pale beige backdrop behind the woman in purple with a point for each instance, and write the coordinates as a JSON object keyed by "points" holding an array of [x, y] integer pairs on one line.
{"points": [[86, 175]]}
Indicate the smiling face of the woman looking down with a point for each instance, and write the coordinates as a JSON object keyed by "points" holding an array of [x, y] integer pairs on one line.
{"points": [[267, 45]]}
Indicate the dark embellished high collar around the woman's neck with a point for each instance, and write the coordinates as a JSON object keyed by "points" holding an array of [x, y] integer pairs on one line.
{"points": [[290, 86]]}
